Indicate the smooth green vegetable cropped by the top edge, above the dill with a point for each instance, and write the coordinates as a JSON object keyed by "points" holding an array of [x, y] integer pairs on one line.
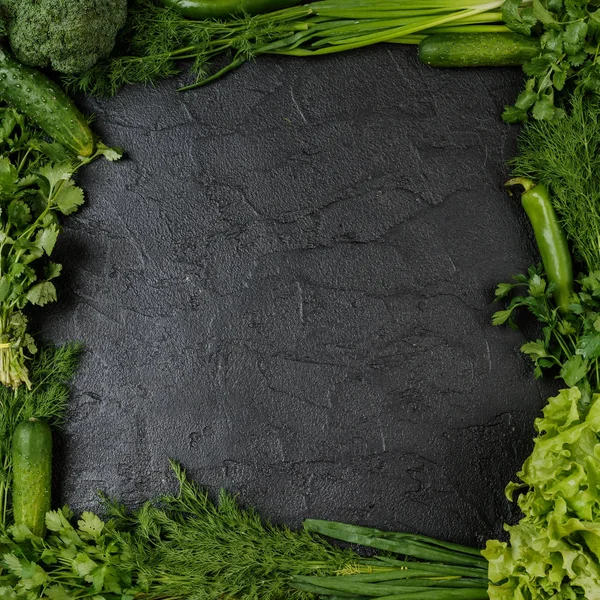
{"points": [[223, 9]]}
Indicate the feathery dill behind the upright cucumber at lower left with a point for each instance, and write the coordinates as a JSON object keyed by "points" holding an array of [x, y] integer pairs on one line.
{"points": [[50, 370]]}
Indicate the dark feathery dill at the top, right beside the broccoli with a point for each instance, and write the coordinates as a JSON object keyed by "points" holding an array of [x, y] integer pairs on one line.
{"points": [[155, 39]]}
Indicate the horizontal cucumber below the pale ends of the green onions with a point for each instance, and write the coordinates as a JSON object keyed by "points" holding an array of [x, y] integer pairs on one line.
{"points": [[478, 49]]}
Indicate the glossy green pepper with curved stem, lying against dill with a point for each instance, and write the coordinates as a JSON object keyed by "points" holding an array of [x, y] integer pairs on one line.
{"points": [[550, 238]]}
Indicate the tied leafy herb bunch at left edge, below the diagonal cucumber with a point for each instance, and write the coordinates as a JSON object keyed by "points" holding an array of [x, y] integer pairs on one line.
{"points": [[36, 188]]}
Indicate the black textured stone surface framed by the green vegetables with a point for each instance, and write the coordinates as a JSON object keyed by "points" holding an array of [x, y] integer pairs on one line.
{"points": [[287, 287]]}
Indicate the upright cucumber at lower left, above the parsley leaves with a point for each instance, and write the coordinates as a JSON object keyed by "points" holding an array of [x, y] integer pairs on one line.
{"points": [[32, 474]]}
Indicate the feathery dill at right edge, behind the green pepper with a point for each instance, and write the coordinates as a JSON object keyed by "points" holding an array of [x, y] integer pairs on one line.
{"points": [[564, 154]]}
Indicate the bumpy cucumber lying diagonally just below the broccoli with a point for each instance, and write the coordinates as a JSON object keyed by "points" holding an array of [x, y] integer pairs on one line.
{"points": [[46, 104]]}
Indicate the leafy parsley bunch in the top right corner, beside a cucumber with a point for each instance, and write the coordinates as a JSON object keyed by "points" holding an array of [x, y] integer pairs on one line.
{"points": [[569, 33]]}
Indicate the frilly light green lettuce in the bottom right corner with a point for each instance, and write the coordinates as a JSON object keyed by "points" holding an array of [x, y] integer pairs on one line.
{"points": [[554, 550]]}
